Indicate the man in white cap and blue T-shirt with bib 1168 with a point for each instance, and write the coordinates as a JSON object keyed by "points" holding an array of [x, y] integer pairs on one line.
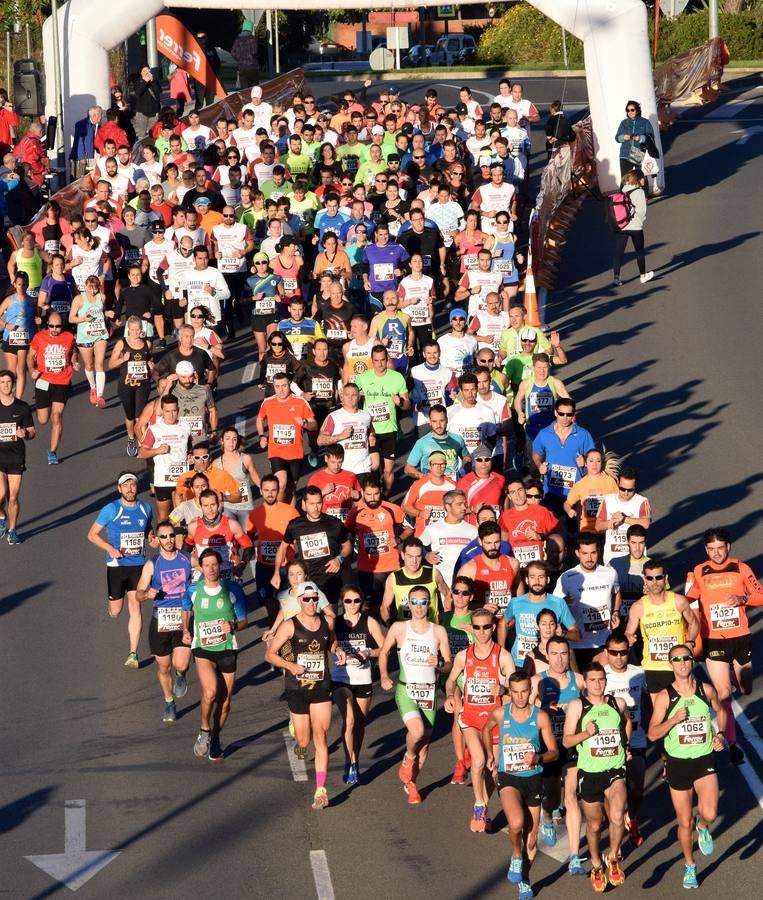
{"points": [[121, 531]]}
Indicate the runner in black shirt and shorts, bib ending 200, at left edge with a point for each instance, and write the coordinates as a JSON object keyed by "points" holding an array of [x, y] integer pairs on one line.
{"points": [[16, 427]]}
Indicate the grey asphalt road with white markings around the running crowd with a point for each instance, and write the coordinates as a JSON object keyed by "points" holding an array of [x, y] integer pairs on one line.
{"points": [[666, 374]]}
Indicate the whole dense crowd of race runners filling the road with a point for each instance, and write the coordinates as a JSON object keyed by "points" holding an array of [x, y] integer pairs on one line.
{"points": [[489, 562]]}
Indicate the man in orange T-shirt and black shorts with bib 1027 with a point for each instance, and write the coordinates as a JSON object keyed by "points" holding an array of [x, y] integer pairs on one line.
{"points": [[724, 586]]}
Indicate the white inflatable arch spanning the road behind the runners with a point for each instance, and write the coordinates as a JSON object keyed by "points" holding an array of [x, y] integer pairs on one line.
{"points": [[614, 35]]}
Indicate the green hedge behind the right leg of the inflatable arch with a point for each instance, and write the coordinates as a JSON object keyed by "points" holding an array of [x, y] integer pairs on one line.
{"points": [[524, 35]]}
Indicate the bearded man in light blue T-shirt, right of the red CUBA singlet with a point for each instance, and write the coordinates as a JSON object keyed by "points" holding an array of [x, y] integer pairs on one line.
{"points": [[524, 612]]}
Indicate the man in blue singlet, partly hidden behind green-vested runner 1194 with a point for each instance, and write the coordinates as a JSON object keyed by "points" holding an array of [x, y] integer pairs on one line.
{"points": [[555, 689]]}
